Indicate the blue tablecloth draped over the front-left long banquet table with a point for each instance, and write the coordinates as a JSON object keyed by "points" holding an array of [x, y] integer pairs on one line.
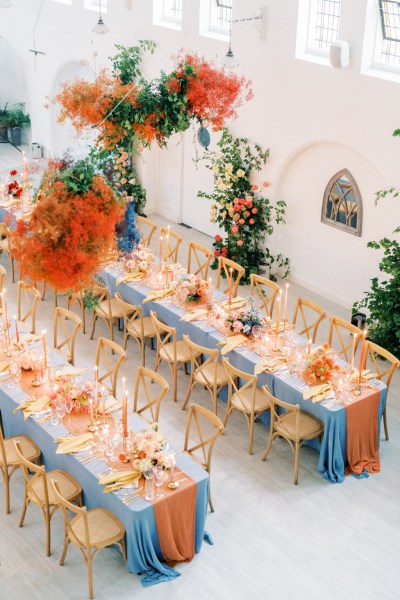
{"points": [[144, 553]]}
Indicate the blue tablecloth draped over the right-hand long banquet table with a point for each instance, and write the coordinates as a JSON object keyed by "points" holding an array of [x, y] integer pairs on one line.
{"points": [[333, 448]]}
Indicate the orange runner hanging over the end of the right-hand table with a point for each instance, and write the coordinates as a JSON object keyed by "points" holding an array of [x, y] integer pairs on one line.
{"points": [[362, 434]]}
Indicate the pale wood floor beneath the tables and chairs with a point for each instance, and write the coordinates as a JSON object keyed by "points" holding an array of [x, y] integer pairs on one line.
{"points": [[274, 540]]}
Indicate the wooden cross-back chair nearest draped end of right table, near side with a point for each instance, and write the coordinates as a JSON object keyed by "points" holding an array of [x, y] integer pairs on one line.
{"points": [[294, 425]]}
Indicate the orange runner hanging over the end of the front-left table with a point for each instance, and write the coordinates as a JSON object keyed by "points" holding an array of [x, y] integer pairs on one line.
{"points": [[175, 516]]}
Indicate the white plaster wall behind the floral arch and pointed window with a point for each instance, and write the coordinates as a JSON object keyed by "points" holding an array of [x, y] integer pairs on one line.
{"points": [[314, 119]]}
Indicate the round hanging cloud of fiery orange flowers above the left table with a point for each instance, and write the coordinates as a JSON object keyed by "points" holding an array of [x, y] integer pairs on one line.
{"points": [[71, 229]]}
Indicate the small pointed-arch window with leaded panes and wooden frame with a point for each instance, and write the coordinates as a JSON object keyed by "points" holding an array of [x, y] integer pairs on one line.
{"points": [[342, 205]]}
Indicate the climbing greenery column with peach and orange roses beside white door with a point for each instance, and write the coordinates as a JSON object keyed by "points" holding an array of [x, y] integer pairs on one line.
{"points": [[243, 212]]}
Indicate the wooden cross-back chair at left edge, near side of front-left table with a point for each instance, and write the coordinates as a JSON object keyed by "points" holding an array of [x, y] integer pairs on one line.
{"points": [[9, 461]]}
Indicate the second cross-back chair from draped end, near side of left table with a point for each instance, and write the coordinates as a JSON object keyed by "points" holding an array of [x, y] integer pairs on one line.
{"points": [[39, 492]]}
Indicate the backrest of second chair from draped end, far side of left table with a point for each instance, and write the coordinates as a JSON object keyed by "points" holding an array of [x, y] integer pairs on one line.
{"points": [[150, 389]]}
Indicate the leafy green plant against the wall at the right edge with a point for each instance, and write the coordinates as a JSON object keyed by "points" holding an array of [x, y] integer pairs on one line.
{"points": [[383, 299]]}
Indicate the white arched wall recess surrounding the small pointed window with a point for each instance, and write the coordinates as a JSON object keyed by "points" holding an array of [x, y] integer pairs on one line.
{"points": [[325, 259]]}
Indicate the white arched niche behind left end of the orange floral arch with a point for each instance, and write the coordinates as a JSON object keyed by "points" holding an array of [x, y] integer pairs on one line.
{"points": [[63, 135]]}
